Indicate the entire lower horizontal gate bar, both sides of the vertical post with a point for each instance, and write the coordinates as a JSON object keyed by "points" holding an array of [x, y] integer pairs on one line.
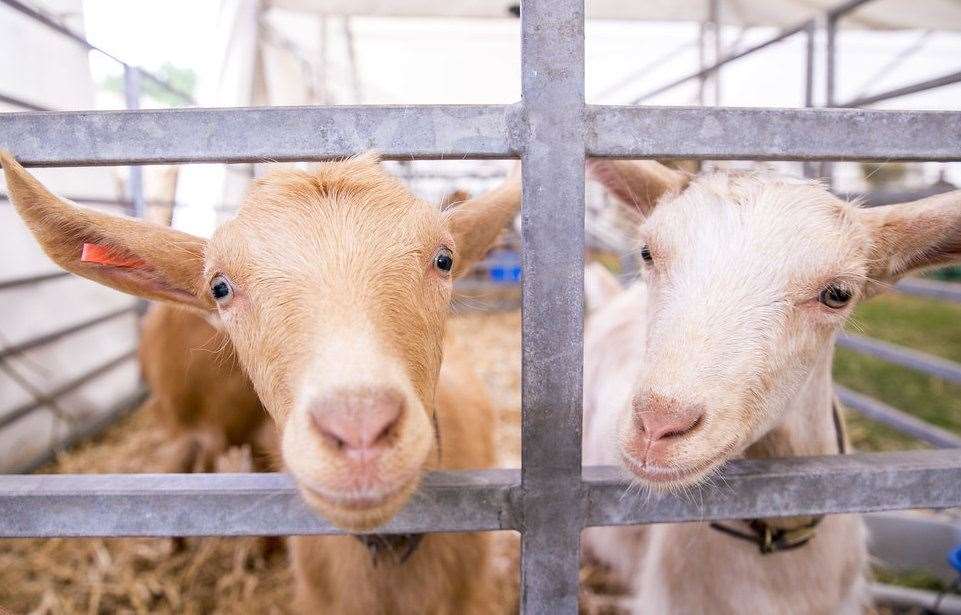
{"points": [[267, 504]]}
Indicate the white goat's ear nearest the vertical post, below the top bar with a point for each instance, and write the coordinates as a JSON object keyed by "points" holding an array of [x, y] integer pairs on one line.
{"points": [[640, 183]]}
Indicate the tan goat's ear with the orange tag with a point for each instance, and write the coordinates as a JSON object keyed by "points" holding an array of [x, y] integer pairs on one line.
{"points": [[135, 257]]}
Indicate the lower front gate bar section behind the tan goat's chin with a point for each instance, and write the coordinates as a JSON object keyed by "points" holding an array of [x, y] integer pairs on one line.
{"points": [[230, 505]]}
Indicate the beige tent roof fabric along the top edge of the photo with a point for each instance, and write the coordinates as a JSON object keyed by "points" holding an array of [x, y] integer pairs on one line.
{"points": [[876, 15]]}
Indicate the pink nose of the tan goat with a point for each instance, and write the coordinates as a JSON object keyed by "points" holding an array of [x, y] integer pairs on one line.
{"points": [[363, 420]]}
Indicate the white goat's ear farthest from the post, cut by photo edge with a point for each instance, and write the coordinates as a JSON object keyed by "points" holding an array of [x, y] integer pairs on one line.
{"points": [[916, 235]]}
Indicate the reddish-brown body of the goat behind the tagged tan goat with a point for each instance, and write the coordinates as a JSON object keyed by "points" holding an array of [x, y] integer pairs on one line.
{"points": [[198, 390]]}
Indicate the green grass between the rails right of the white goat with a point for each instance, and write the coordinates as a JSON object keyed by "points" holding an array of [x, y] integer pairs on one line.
{"points": [[927, 325]]}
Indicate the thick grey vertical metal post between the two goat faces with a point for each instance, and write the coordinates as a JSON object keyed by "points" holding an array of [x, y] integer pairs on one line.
{"points": [[552, 49]]}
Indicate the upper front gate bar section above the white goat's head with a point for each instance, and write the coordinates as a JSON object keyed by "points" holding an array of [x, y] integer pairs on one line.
{"points": [[773, 134]]}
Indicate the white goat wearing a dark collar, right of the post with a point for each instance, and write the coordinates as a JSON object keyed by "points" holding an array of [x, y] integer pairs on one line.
{"points": [[723, 349]]}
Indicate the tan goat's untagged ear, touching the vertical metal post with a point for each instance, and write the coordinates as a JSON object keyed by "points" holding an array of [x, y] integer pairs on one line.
{"points": [[475, 223]]}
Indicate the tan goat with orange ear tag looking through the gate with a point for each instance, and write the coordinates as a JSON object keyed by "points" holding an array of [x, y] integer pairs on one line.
{"points": [[334, 287]]}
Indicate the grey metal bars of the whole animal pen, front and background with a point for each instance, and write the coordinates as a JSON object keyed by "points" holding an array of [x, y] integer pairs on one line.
{"points": [[551, 498]]}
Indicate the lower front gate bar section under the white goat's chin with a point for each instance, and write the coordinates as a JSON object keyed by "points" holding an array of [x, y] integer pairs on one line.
{"points": [[752, 488]]}
